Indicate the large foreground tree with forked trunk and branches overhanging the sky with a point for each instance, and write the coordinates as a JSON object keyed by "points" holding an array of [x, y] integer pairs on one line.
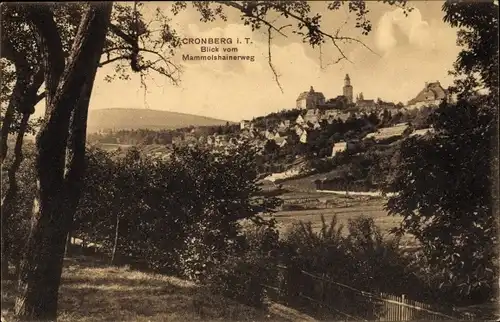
{"points": [[68, 84]]}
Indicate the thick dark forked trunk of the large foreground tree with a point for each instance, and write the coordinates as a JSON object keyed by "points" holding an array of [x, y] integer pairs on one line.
{"points": [[42, 266]]}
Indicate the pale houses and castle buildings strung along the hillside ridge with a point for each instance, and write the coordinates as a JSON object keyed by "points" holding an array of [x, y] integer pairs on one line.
{"points": [[319, 111]]}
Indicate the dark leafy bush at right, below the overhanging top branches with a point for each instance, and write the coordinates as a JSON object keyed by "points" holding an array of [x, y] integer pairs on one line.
{"points": [[445, 196]]}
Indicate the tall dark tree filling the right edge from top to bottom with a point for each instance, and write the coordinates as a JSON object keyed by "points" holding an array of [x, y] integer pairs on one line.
{"points": [[446, 182]]}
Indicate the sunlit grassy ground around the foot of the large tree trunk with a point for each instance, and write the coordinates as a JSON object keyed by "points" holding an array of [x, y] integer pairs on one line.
{"points": [[93, 291]]}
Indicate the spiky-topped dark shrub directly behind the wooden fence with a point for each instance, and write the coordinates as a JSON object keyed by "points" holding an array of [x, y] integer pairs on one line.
{"points": [[363, 258]]}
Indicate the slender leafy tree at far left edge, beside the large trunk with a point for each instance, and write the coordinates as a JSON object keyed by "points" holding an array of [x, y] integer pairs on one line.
{"points": [[19, 91]]}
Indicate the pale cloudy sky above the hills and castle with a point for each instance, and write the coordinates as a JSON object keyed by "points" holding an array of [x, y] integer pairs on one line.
{"points": [[404, 53]]}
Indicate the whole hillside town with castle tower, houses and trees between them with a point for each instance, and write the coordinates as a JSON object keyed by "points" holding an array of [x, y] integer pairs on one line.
{"points": [[316, 127]]}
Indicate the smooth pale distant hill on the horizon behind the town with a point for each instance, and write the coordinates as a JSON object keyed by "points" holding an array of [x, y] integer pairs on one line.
{"points": [[141, 118]]}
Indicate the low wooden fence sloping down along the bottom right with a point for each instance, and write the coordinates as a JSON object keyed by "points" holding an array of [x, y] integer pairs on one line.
{"points": [[342, 302]]}
